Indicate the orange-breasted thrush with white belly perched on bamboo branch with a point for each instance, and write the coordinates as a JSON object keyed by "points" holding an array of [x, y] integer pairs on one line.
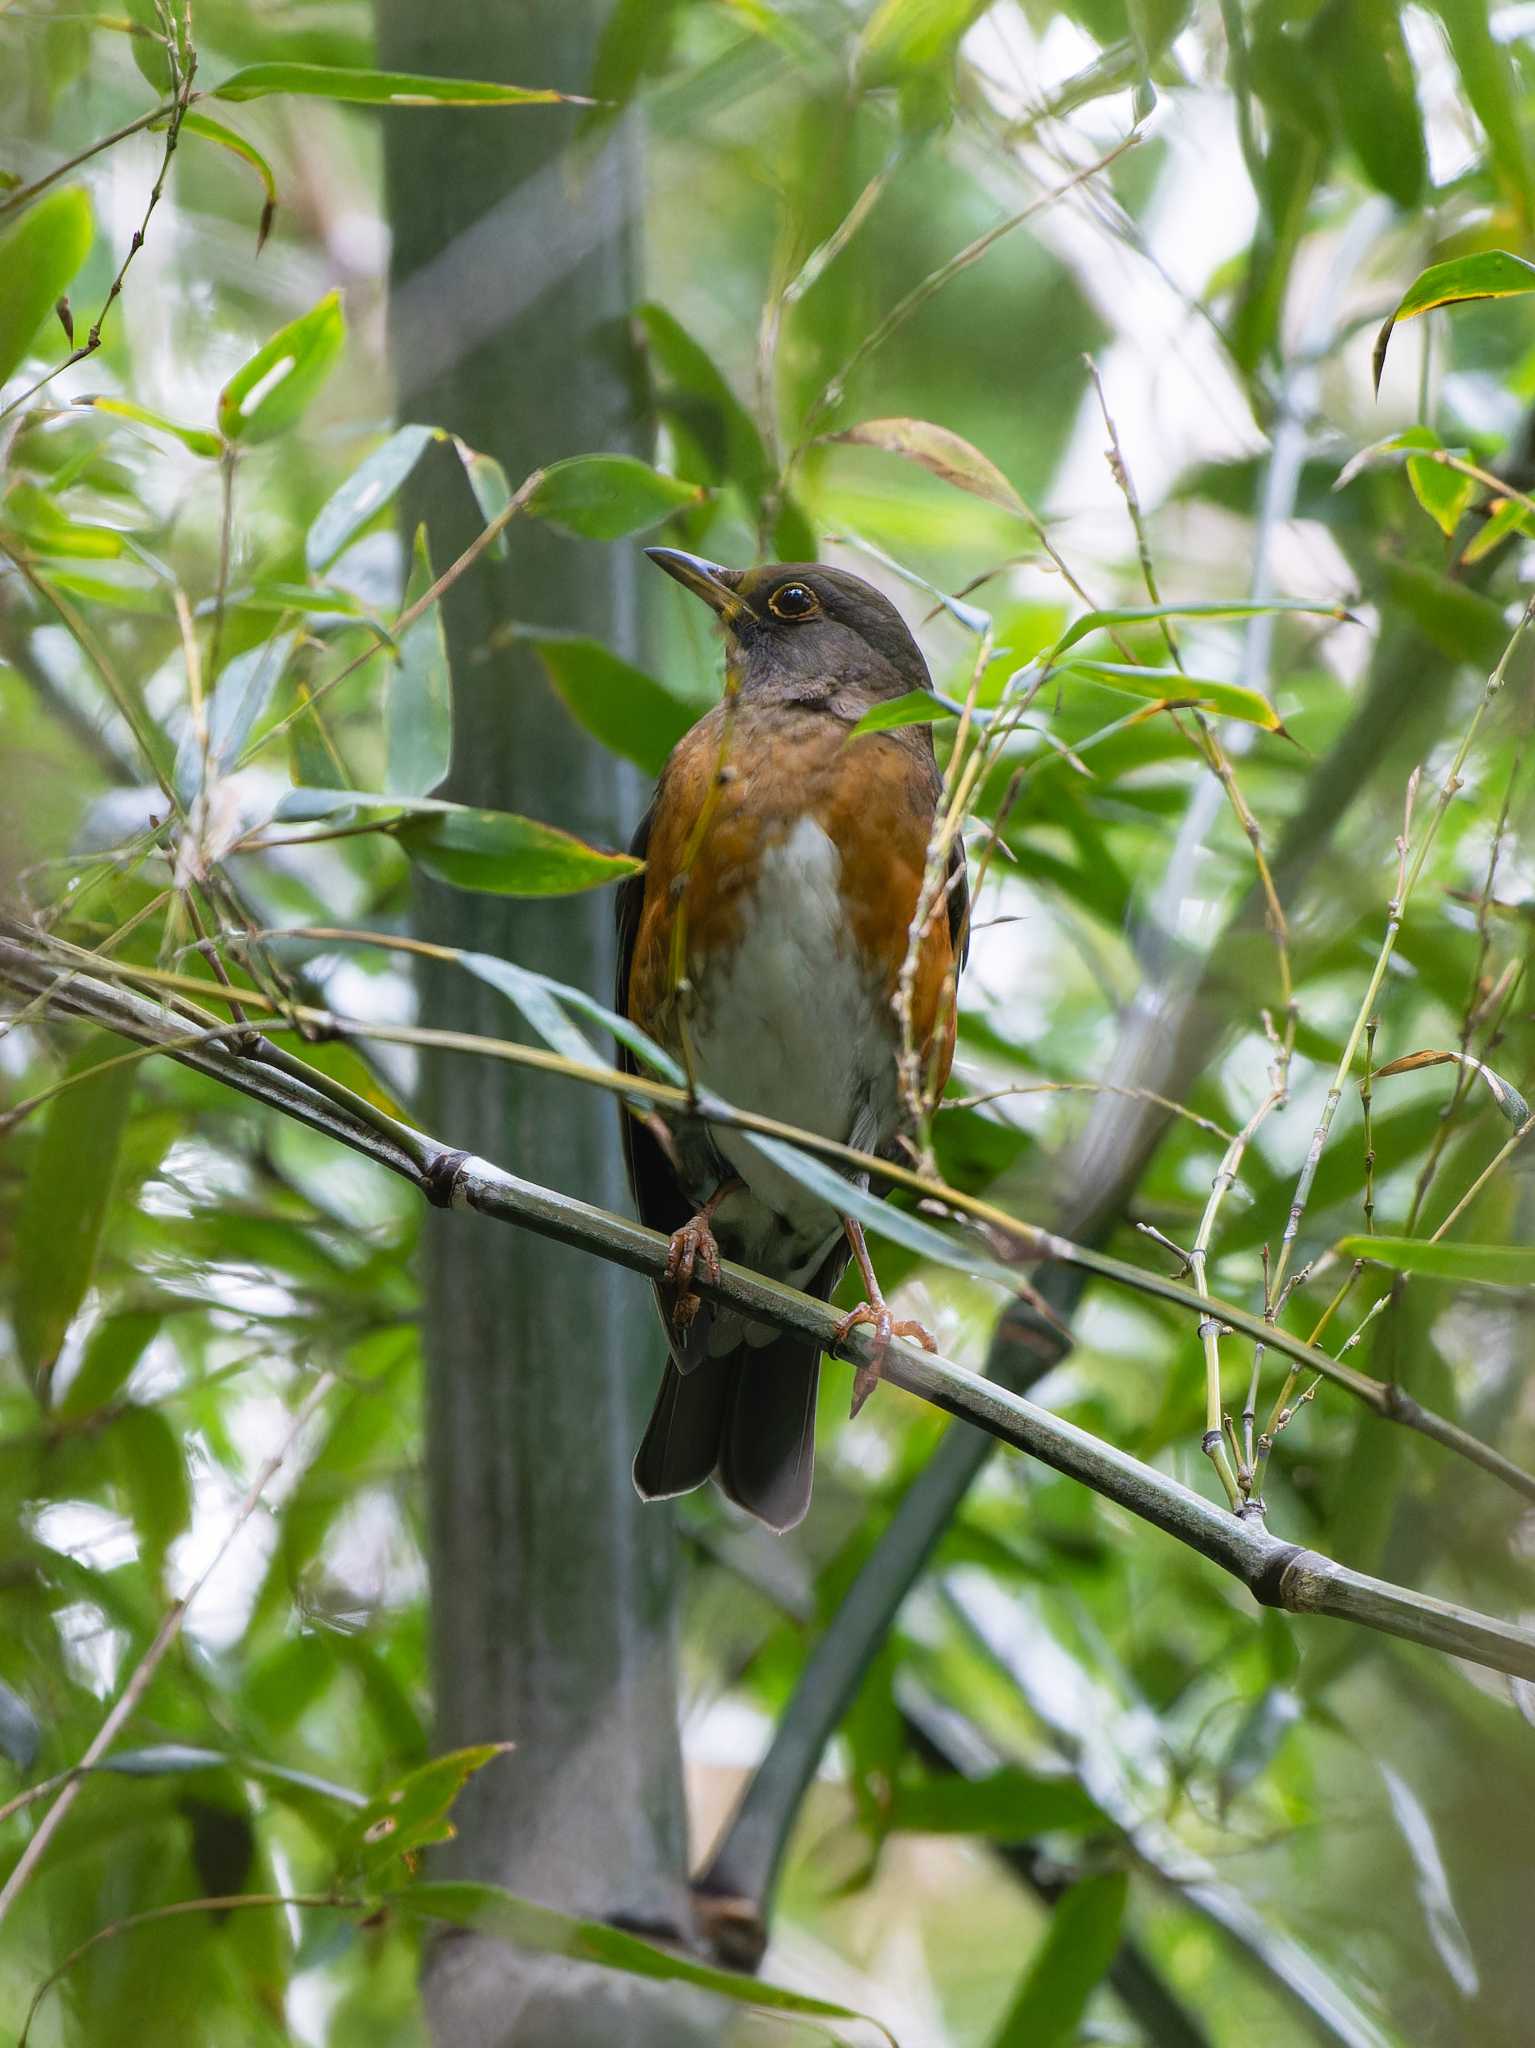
{"points": [[762, 947]]}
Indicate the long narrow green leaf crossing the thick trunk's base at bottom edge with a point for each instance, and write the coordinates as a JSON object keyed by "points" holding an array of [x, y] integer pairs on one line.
{"points": [[500, 1914]]}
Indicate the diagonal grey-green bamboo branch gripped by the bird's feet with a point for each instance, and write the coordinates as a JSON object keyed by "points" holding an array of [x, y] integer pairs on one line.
{"points": [[1278, 1574]]}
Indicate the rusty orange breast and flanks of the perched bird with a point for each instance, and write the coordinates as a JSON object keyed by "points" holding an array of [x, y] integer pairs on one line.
{"points": [[736, 787]]}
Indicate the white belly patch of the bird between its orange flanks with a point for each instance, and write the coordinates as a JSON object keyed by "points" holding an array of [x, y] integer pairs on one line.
{"points": [[789, 1025]]}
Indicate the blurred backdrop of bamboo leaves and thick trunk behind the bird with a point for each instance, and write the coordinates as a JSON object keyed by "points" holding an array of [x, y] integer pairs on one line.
{"points": [[1084, 1789]]}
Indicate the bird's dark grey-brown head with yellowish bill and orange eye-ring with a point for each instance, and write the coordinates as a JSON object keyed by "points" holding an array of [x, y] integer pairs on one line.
{"points": [[801, 628]]}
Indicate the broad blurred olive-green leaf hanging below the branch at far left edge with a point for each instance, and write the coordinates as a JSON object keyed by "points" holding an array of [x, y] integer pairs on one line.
{"points": [[64, 1201]]}
